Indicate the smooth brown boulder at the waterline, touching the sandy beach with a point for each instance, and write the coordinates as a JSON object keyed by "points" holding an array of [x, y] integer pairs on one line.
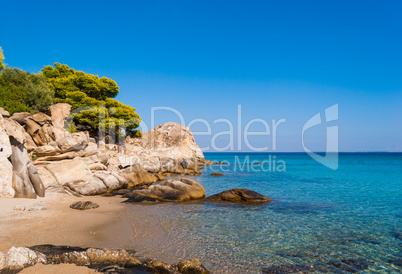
{"points": [[168, 191]]}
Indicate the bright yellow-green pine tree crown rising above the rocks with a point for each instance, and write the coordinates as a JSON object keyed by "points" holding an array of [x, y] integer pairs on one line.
{"points": [[93, 108]]}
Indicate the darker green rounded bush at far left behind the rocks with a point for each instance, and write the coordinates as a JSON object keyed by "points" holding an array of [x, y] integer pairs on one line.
{"points": [[21, 91]]}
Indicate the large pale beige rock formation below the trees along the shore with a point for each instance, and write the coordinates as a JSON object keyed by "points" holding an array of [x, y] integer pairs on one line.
{"points": [[76, 163]]}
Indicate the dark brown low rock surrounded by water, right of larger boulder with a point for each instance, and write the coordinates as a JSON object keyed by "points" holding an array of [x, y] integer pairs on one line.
{"points": [[239, 195]]}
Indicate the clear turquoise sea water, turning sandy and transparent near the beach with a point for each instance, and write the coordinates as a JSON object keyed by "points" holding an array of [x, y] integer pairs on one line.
{"points": [[343, 220]]}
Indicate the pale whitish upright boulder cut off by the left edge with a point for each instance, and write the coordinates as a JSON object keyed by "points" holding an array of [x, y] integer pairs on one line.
{"points": [[6, 168]]}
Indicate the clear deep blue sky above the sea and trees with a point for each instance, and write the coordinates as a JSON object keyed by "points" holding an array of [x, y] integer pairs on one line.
{"points": [[278, 59]]}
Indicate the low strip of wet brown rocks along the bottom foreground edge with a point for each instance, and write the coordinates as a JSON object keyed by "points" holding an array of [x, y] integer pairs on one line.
{"points": [[103, 260]]}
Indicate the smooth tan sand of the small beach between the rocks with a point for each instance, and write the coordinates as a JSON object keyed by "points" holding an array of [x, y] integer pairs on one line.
{"points": [[58, 224]]}
